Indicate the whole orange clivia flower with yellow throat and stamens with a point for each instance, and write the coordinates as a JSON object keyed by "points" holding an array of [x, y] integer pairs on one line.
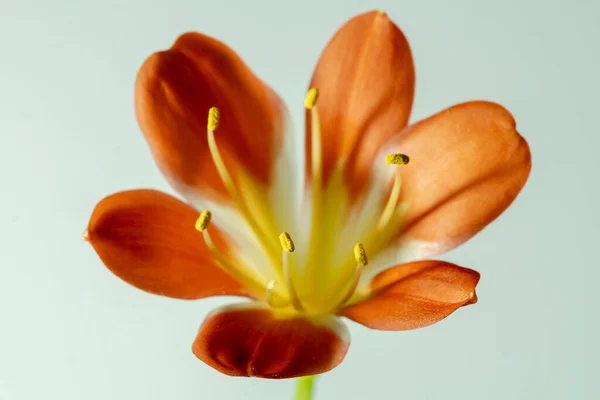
{"points": [[309, 236]]}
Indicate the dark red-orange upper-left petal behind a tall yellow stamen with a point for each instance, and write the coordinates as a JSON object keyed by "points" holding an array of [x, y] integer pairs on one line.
{"points": [[174, 91]]}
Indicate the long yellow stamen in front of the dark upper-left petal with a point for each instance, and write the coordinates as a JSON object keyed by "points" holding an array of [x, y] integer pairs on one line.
{"points": [[213, 122]]}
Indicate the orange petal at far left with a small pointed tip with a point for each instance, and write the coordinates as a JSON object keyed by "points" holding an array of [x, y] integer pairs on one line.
{"points": [[148, 239]]}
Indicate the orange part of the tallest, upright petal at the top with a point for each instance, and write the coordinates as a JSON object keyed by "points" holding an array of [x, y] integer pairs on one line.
{"points": [[366, 81]]}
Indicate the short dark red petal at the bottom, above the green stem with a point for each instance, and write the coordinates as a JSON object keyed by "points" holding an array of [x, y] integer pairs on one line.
{"points": [[250, 340]]}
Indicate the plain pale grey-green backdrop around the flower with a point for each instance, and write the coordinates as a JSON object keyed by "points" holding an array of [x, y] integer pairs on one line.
{"points": [[70, 330]]}
